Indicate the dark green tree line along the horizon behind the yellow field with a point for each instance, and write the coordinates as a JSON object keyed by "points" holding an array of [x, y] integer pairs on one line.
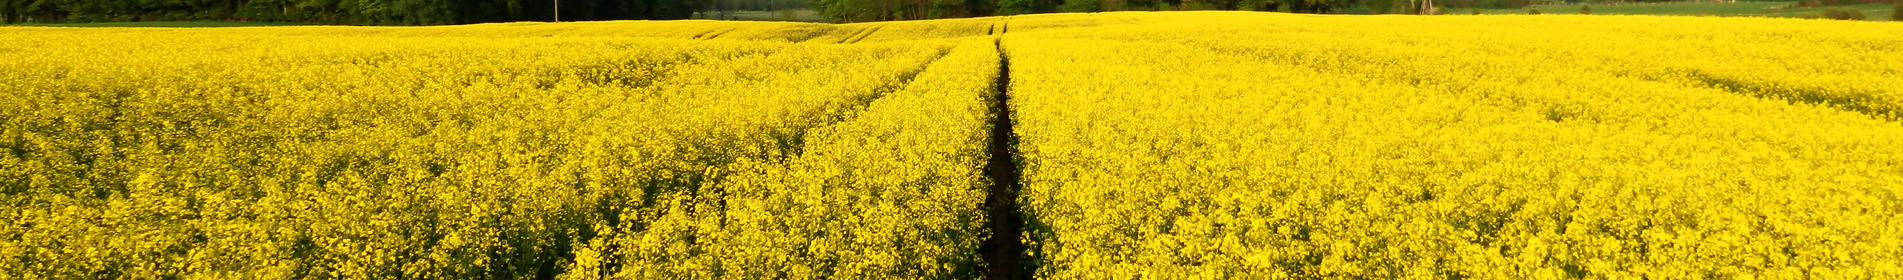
{"points": [[454, 12]]}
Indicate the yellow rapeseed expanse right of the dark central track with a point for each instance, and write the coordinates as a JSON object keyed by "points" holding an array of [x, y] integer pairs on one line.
{"points": [[1246, 146]]}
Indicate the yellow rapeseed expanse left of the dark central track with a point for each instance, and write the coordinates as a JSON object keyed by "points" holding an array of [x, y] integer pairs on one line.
{"points": [[488, 153]]}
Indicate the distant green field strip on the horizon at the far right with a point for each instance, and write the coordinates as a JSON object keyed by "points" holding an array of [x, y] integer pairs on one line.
{"points": [[1874, 12]]}
